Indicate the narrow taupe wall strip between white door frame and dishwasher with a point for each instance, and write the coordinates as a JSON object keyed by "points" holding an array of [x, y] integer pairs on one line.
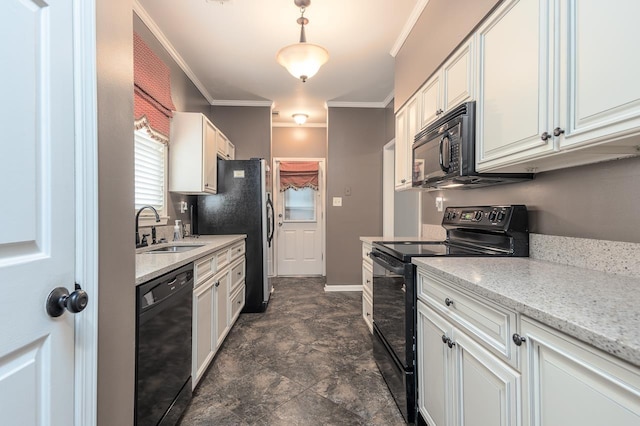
{"points": [[116, 298]]}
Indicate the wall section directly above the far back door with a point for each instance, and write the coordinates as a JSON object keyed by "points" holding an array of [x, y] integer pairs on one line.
{"points": [[301, 142]]}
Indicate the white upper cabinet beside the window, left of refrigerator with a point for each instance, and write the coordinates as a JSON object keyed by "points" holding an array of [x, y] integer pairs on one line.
{"points": [[192, 154]]}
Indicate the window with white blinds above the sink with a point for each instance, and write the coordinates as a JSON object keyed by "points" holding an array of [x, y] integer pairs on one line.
{"points": [[150, 173]]}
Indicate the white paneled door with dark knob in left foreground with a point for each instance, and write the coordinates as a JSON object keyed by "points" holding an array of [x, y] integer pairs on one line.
{"points": [[37, 242]]}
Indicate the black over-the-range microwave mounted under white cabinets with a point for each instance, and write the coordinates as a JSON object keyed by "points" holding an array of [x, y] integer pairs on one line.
{"points": [[444, 154]]}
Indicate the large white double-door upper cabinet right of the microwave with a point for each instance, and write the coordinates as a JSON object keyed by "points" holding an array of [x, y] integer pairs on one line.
{"points": [[556, 84]]}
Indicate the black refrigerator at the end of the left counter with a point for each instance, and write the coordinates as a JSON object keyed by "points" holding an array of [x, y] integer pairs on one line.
{"points": [[242, 205]]}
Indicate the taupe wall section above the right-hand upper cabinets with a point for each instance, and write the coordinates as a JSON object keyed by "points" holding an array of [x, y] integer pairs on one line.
{"points": [[442, 26]]}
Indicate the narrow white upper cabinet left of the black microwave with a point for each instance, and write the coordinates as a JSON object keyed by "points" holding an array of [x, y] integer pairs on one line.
{"points": [[407, 122]]}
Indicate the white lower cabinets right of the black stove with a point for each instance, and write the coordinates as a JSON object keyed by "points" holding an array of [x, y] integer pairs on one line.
{"points": [[546, 378]]}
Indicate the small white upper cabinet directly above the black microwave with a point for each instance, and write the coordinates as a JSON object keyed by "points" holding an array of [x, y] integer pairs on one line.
{"points": [[450, 86]]}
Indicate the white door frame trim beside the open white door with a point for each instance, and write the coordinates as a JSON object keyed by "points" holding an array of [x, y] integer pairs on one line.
{"points": [[86, 211]]}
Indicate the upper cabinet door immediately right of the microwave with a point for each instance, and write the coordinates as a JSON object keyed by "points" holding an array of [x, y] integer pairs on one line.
{"points": [[514, 84]]}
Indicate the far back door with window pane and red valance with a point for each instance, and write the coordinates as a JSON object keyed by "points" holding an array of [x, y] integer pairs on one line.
{"points": [[299, 217]]}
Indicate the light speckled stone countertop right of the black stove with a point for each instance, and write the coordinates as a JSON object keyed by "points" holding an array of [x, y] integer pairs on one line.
{"points": [[596, 307]]}
